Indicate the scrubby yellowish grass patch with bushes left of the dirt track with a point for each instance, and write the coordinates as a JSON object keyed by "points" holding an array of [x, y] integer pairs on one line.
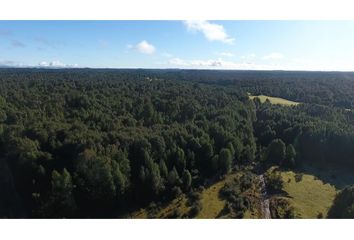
{"points": [[210, 203]]}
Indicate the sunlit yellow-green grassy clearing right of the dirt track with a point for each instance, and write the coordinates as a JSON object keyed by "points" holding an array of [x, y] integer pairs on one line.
{"points": [[309, 196]]}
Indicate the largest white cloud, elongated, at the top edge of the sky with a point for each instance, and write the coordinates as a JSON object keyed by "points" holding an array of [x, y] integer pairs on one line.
{"points": [[212, 31]]}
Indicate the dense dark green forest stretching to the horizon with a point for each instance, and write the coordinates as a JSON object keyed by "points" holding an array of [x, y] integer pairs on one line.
{"points": [[104, 143]]}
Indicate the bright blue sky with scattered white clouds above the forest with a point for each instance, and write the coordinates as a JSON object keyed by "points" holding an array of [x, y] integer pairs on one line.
{"points": [[261, 45]]}
